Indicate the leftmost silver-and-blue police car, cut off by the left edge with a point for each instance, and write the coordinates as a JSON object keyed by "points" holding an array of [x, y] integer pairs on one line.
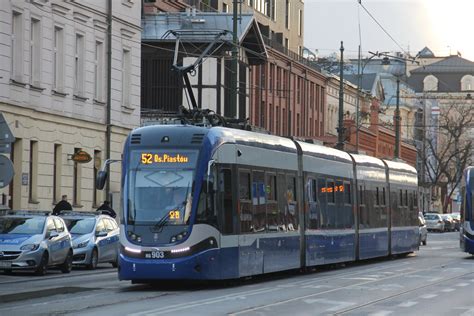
{"points": [[34, 240]]}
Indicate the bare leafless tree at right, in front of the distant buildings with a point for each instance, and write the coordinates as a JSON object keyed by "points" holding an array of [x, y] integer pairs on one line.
{"points": [[449, 149]]}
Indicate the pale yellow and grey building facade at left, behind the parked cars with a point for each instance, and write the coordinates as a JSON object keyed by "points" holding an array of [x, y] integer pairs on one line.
{"points": [[53, 94]]}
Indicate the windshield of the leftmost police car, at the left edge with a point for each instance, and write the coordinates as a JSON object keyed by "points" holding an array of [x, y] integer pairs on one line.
{"points": [[21, 225]]}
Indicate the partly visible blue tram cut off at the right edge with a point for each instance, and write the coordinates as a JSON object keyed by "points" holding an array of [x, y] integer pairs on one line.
{"points": [[467, 211]]}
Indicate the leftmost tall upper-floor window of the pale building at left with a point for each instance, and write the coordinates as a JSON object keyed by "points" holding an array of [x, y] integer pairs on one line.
{"points": [[17, 47]]}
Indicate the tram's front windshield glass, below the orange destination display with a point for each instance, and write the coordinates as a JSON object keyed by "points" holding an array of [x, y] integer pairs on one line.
{"points": [[157, 194]]}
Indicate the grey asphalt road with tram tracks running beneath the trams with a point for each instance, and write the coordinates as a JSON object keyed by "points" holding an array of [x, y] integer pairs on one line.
{"points": [[437, 280]]}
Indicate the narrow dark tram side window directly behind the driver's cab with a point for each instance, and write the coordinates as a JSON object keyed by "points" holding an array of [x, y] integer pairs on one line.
{"points": [[225, 202]]}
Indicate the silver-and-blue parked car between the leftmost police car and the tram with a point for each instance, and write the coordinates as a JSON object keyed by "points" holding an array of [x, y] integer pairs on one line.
{"points": [[95, 238]]}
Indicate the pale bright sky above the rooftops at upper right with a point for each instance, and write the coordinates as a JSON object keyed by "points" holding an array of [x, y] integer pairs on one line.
{"points": [[444, 26]]}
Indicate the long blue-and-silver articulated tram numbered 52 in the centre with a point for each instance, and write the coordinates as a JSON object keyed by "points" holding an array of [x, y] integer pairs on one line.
{"points": [[220, 203]]}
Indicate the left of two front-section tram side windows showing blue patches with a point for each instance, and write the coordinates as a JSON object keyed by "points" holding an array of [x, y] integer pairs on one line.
{"points": [[259, 202]]}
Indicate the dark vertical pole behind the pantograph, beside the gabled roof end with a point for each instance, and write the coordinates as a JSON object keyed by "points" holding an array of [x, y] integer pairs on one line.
{"points": [[232, 107]]}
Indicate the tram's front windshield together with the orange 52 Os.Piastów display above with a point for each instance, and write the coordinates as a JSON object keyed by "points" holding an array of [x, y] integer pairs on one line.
{"points": [[160, 193]]}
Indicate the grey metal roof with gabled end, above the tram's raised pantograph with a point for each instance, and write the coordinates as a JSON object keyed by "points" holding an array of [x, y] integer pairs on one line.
{"points": [[203, 28]]}
